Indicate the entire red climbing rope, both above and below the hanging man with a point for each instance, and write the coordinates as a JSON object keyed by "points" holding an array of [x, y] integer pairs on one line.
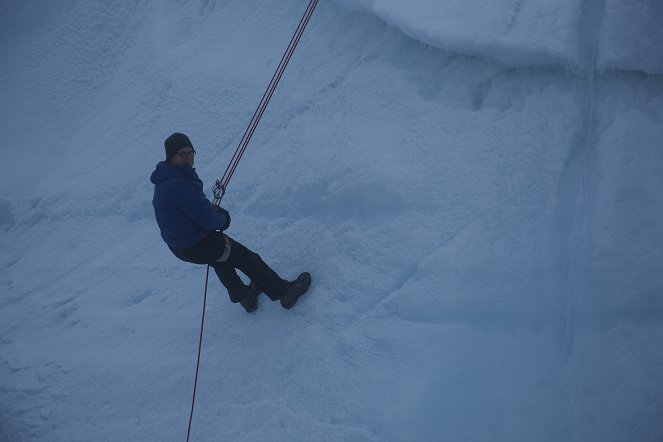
{"points": [[222, 184]]}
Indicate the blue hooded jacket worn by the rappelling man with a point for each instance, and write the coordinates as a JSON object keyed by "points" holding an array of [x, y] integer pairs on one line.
{"points": [[182, 210]]}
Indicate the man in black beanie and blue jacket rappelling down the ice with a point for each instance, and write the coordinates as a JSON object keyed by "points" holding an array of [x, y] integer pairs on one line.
{"points": [[193, 230]]}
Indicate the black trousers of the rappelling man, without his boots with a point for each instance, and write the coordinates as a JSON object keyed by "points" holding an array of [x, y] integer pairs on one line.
{"points": [[212, 246]]}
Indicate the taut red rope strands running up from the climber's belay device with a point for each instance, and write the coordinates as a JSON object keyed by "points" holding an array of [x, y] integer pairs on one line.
{"points": [[267, 96]]}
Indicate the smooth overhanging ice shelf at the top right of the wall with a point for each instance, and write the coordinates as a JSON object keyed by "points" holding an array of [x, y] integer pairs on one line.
{"points": [[534, 32]]}
